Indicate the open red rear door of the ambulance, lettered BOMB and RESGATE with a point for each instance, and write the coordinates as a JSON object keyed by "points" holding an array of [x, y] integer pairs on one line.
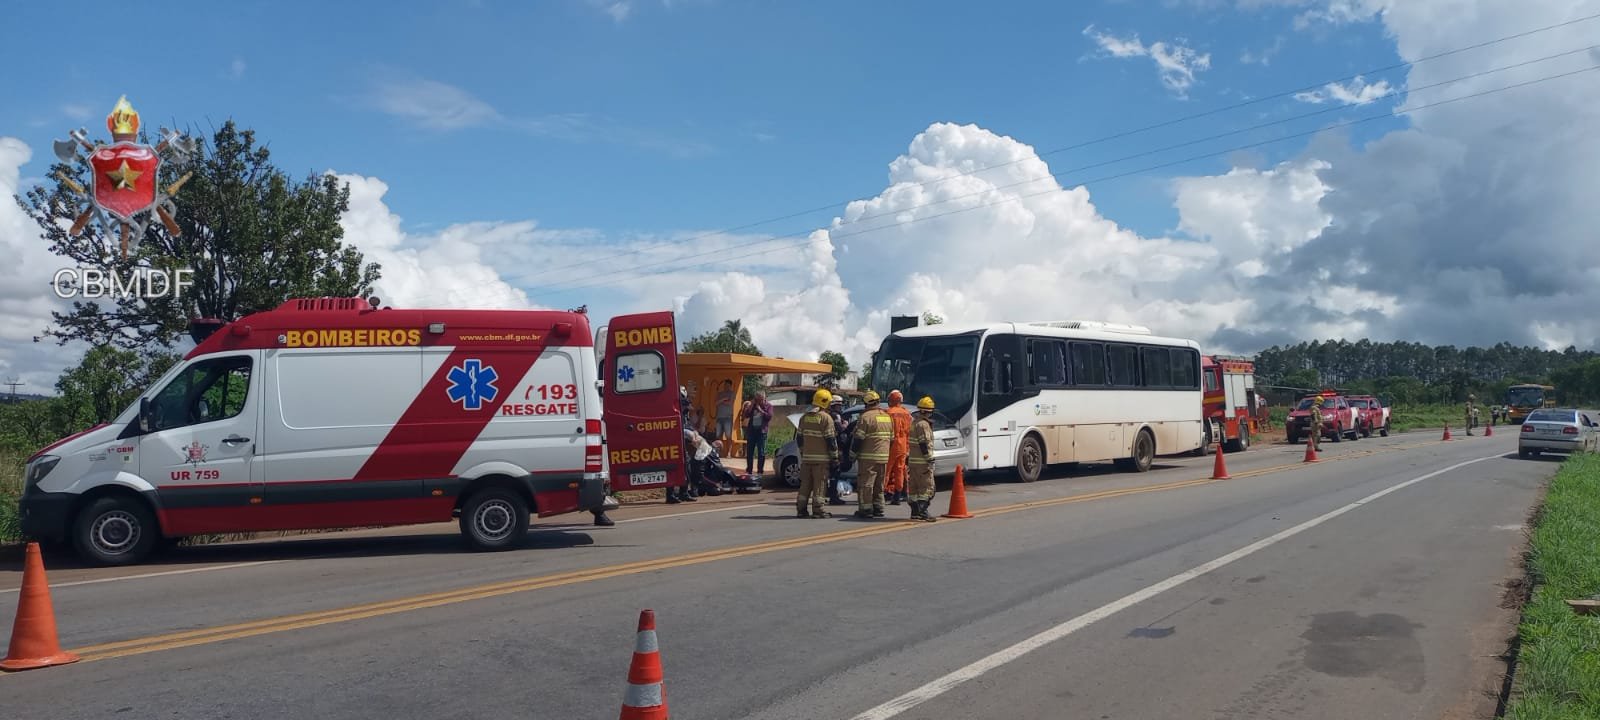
{"points": [[642, 417]]}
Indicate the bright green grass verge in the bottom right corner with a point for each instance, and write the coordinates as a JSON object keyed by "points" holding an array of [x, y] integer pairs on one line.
{"points": [[1559, 658]]}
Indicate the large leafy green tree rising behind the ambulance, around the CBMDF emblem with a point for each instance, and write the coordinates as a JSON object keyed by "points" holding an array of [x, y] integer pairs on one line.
{"points": [[252, 236]]}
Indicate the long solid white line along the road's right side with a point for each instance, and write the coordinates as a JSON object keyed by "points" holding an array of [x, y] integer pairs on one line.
{"points": [[977, 670]]}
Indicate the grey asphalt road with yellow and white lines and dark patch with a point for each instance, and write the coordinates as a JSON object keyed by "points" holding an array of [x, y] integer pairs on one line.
{"points": [[1364, 586]]}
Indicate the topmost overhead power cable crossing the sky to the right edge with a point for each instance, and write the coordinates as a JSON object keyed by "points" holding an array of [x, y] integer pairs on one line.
{"points": [[1127, 134]]}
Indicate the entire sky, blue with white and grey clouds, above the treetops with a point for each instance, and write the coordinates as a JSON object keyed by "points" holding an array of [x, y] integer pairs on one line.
{"points": [[494, 145]]}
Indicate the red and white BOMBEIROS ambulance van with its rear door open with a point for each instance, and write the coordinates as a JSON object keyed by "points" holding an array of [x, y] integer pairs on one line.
{"points": [[334, 414]]}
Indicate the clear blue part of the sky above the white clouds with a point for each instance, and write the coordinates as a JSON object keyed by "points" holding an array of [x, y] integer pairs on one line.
{"points": [[681, 116]]}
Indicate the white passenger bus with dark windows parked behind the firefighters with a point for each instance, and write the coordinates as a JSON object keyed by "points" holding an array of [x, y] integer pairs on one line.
{"points": [[1026, 396]]}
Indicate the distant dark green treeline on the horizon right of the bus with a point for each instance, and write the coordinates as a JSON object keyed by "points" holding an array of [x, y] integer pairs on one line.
{"points": [[1417, 374]]}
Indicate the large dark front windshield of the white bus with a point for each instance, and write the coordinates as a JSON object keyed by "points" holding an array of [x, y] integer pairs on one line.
{"points": [[937, 367]]}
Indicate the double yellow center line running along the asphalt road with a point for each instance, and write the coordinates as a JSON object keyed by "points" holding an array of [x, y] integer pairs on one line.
{"points": [[207, 636]]}
